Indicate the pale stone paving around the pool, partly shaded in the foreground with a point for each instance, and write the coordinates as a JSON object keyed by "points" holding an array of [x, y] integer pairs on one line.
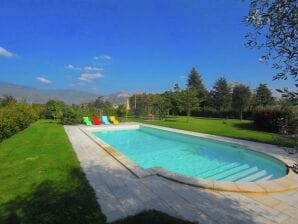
{"points": [[120, 193]]}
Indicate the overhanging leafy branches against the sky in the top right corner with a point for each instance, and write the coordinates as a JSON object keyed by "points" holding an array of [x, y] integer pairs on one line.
{"points": [[275, 31]]}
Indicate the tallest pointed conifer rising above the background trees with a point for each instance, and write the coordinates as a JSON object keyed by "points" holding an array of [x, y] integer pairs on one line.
{"points": [[195, 83]]}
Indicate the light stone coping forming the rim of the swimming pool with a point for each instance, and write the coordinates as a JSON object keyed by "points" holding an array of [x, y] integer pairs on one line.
{"points": [[286, 183]]}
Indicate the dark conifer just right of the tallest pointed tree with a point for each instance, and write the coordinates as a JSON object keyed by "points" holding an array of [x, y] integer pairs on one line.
{"points": [[221, 94]]}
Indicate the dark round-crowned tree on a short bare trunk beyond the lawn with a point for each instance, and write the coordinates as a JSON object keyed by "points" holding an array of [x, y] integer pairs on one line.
{"points": [[240, 98]]}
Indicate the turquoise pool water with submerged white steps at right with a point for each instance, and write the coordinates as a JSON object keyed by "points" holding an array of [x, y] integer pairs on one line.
{"points": [[192, 156]]}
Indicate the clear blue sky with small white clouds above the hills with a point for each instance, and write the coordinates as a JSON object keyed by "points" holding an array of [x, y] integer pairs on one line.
{"points": [[126, 45]]}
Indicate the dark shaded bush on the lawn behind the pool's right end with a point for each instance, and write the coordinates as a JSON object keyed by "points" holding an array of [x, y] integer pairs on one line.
{"points": [[272, 119]]}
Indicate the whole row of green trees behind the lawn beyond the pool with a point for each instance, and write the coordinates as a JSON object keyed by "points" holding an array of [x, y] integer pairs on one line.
{"points": [[195, 99]]}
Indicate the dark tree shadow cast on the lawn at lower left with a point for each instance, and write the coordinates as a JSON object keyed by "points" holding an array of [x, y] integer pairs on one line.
{"points": [[55, 202]]}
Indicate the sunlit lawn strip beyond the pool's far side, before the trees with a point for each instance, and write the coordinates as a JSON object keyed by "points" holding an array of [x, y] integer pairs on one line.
{"points": [[223, 127]]}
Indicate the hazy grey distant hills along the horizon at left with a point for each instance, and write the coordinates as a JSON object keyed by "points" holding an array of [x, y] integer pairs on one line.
{"points": [[30, 94]]}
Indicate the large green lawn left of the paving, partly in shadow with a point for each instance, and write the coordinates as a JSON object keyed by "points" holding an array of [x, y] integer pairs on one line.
{"points": [[41, 182]]}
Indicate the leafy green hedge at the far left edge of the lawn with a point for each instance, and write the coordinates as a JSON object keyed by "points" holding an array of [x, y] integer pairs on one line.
{"points": [[15, 117]]}
